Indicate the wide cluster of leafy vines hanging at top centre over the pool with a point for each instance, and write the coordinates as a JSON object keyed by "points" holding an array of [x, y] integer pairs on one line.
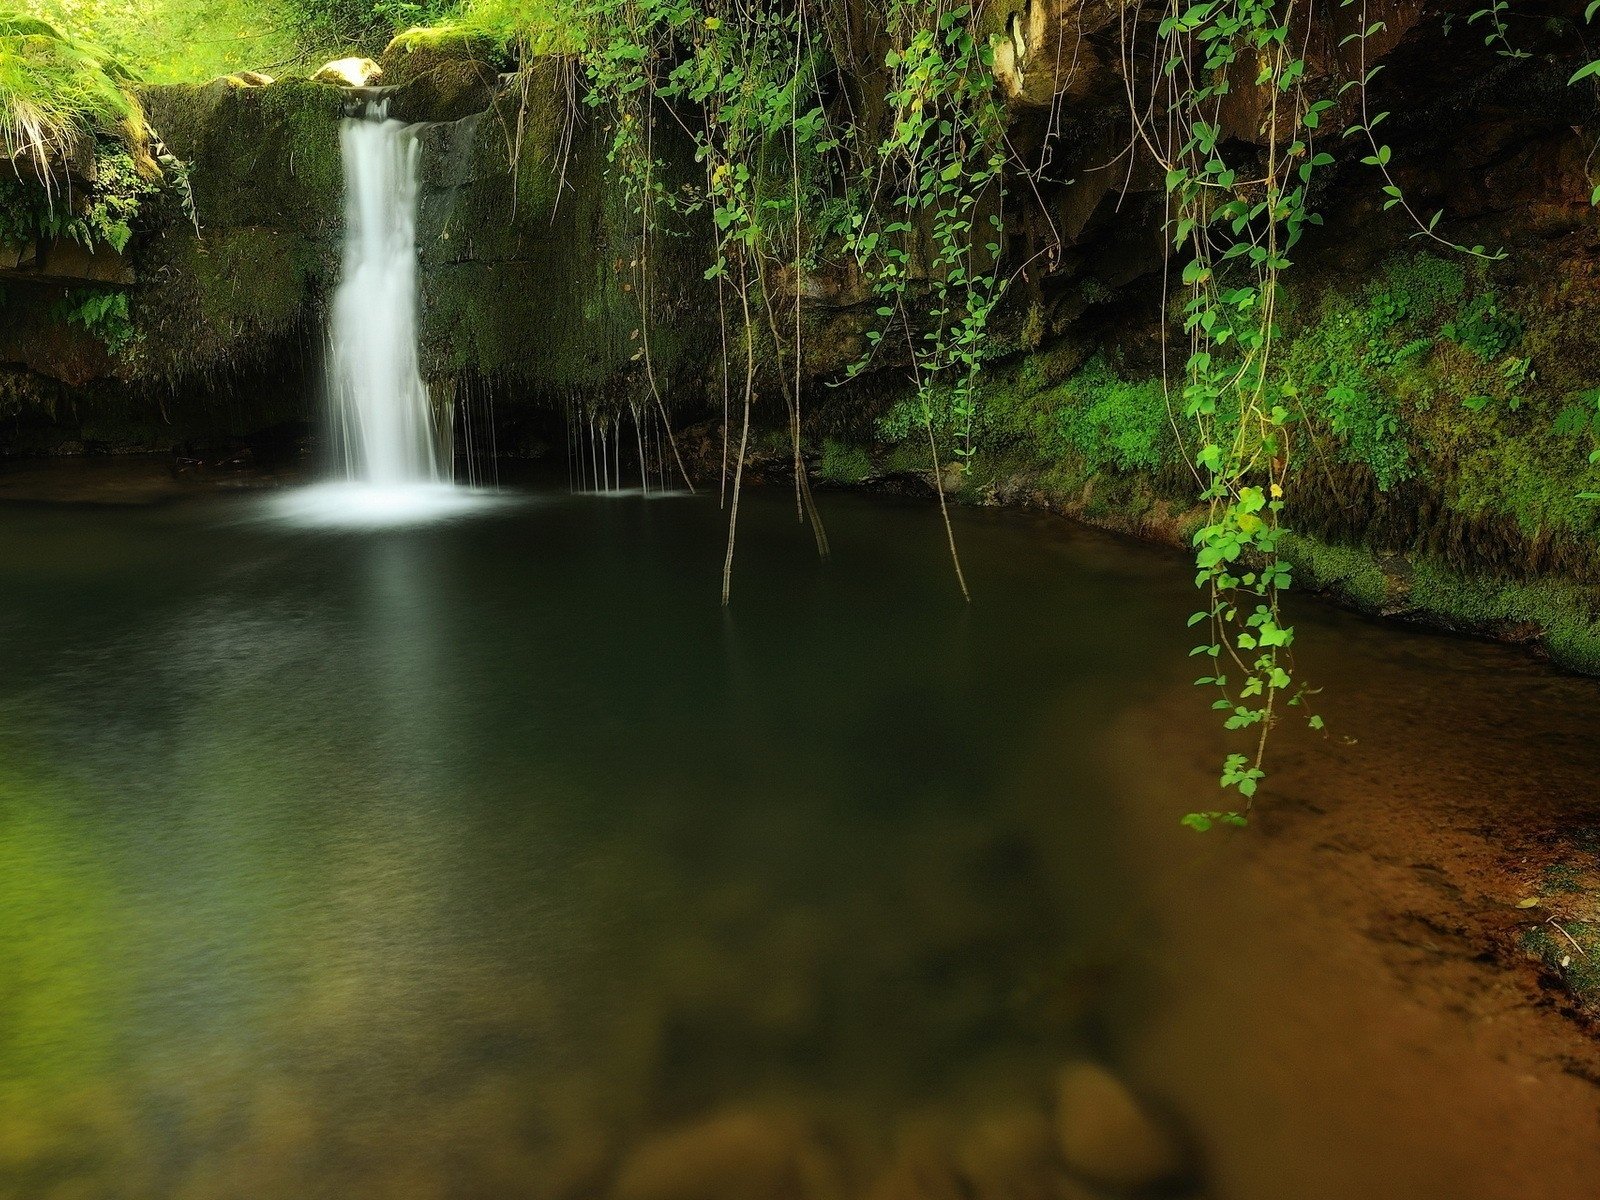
{"points": [[913, 199]]}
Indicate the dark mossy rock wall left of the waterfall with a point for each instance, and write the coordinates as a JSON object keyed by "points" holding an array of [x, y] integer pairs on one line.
{"points": [[226, 295]]}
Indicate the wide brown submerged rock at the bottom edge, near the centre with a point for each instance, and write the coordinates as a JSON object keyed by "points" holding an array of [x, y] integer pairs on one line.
{"points": [[743, 1154]]}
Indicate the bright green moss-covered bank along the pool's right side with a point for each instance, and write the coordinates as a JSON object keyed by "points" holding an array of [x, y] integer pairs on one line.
{"points": [[1446, 420]]}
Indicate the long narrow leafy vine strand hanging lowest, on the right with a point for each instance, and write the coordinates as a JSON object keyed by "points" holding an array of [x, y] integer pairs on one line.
{"points": [[1234, 241]]}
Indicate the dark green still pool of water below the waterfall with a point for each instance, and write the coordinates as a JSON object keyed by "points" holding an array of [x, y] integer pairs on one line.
{"points": [[479, 858]]}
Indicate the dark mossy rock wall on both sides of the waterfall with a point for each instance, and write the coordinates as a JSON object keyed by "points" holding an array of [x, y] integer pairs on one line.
{"points": [[534, 266]]}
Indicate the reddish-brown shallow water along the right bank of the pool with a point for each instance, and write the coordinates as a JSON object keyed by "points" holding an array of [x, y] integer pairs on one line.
{"points": [[1377, 918]]}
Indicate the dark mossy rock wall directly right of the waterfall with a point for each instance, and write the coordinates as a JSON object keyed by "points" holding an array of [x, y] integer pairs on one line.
{"points": [[535, 266]]}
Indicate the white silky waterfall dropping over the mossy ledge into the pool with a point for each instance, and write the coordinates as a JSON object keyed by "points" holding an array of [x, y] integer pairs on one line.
{"points": [[383, 423]]}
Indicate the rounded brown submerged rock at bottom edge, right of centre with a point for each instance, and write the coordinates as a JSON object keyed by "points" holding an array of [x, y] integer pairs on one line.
{"points": [[1108, 1137]]}
